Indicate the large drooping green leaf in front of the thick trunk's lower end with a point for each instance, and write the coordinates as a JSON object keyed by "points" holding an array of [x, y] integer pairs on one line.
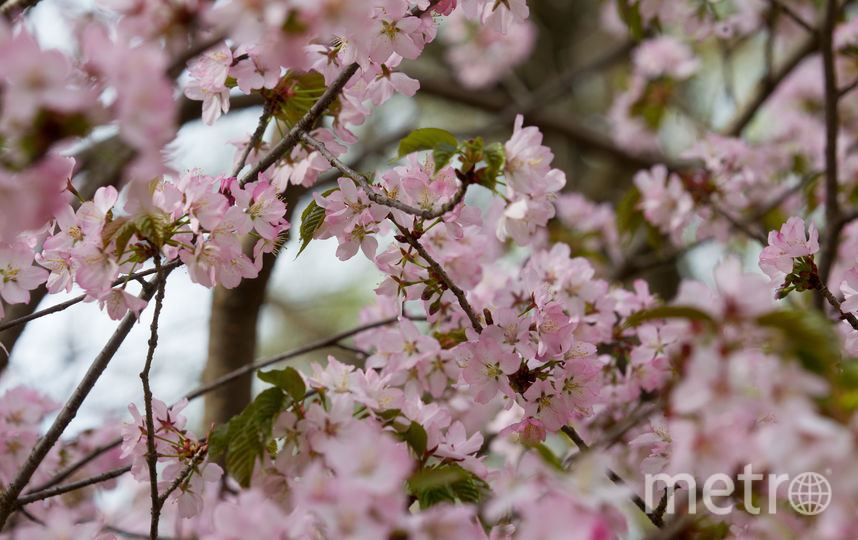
{"points": [[246, 436]]}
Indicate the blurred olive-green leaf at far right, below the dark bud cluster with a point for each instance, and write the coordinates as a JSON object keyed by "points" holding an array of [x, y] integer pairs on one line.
{"points": [[808, 335]]}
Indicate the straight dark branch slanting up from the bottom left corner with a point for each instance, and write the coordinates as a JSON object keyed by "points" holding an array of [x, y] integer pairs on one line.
{"points": [[44, 445]]}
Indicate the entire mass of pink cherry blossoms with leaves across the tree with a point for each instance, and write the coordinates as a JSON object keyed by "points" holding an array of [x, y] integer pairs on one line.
{"points": [[505, 378]]}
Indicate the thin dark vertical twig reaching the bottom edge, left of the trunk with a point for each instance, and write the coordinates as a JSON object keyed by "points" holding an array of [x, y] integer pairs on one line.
{"points": [[151, 453]]}
